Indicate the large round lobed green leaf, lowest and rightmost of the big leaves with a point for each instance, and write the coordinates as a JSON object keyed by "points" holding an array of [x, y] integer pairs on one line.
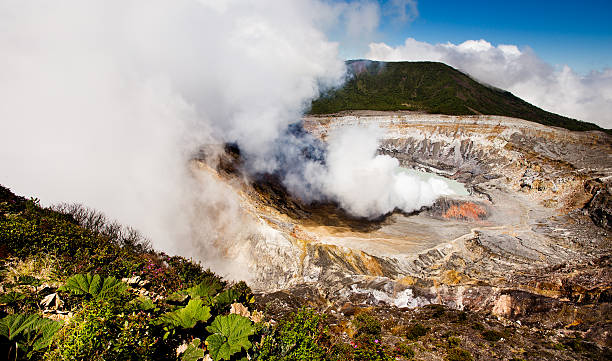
{"points": [[230, 334]]}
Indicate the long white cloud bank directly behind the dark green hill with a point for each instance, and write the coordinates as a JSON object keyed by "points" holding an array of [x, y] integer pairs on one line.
{"points": [[521, 72]]}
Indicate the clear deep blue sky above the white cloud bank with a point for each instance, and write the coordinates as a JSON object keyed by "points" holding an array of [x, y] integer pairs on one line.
{"points": [[576, 33]]}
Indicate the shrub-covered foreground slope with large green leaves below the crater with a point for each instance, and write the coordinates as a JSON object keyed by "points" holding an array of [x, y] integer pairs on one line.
{"points": [[75, 286]]}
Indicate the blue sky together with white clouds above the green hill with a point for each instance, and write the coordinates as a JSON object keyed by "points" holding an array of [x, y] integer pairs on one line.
{"points": [[556, 55]]}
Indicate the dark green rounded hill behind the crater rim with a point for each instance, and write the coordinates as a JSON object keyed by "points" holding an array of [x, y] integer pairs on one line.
{"points": [[433, 88]]}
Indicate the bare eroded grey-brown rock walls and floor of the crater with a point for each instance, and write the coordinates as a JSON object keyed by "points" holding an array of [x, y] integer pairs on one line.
{"points": [[531, 242]]}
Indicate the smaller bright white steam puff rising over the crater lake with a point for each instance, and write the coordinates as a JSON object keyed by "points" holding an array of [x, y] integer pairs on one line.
{"points": [[367, 184]]}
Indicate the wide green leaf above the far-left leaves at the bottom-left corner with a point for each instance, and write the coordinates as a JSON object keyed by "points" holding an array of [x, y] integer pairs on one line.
{"points": [[94, 285]]}
